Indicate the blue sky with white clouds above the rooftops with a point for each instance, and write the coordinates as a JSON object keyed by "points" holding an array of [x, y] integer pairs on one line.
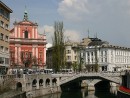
{"points": [[110, 19]]}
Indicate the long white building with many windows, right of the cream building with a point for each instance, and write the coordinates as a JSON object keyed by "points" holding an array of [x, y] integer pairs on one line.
{"points": [[109, 58]]}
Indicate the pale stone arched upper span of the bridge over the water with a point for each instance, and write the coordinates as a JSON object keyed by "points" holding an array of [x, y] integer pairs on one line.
{"points": [[112, 77]]}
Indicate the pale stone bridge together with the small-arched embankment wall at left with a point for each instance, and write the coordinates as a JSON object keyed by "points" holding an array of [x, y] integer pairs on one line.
{"points": [[53, 82]]}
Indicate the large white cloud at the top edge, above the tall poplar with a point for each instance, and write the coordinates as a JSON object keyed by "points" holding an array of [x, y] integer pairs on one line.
{"points": [[73, 9]]}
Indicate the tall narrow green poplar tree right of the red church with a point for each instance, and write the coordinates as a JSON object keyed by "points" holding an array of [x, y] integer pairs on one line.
{"points": [[58, 56]]}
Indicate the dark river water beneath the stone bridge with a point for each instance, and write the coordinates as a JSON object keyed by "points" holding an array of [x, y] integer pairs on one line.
{"points": [[83, 93]]}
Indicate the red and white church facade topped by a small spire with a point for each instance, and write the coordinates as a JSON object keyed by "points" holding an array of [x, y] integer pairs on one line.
{"points": [[27, 46]]}
